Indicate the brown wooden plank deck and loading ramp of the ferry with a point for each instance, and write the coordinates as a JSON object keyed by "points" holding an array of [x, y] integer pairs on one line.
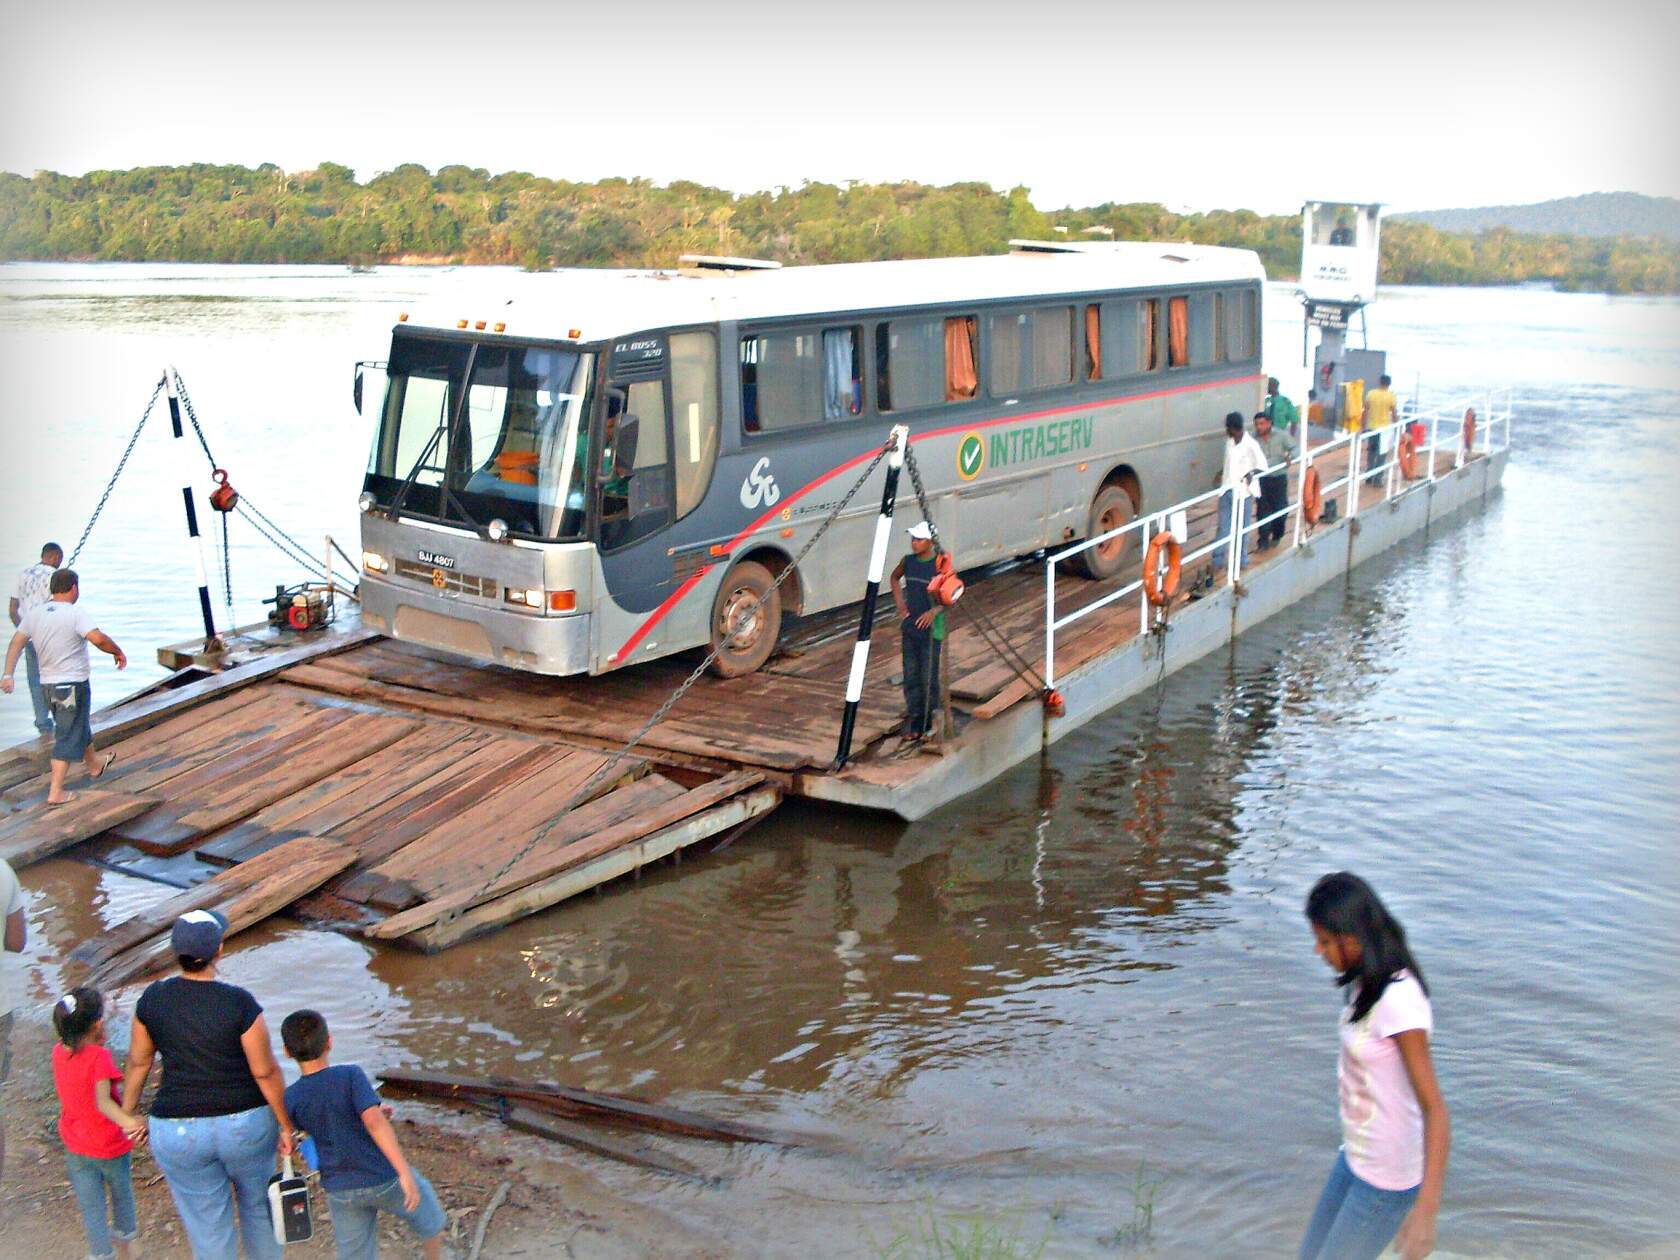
{"points": [[382, 789]]}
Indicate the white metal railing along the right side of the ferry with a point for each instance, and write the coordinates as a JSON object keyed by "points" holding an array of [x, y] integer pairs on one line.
{"points": [[1446, 428]]}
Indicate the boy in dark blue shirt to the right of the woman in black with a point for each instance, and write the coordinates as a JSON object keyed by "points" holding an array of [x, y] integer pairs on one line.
{"points": [[364, 1170]]}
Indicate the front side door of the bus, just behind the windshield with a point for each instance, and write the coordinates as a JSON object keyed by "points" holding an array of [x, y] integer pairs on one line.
{"points": [[634, 500]]}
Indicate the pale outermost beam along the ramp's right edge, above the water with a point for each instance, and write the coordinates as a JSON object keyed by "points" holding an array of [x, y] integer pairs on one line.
{"points": [[538, 896]]}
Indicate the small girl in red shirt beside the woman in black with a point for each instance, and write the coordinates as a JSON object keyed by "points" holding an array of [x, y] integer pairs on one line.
{"points": [[98, 1135]]}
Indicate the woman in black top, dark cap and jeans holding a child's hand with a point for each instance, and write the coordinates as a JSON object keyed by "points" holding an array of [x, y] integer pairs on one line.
{"points": [[221, 1115]]}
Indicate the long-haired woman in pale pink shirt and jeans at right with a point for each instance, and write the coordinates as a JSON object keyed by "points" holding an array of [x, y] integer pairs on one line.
{"points": [[1387, 1182]]}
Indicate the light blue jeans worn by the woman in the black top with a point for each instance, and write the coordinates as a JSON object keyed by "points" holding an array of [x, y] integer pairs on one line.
{"points": [[211, 1162]]}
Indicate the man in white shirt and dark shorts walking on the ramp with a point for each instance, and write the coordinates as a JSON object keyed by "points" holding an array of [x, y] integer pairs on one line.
{"points": [[61, 633]]}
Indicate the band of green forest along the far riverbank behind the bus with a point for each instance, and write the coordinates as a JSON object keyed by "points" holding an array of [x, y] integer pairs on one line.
{"points": [[461, 214]]}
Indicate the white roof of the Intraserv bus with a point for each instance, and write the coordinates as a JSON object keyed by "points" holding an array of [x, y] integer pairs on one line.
{"points": [[596, 305]]}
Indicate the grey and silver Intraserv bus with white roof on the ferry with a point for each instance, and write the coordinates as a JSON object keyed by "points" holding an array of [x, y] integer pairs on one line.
{"points": [[607, 468]]}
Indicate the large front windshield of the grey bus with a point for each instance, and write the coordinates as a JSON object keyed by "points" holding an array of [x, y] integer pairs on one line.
{"points": [[476, 433]]}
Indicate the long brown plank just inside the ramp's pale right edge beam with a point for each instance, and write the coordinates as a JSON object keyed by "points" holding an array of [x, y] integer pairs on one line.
{"points": [[574, 843]]}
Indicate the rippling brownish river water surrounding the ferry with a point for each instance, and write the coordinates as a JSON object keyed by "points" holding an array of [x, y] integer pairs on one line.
{"points": [[1098, 969]]}
